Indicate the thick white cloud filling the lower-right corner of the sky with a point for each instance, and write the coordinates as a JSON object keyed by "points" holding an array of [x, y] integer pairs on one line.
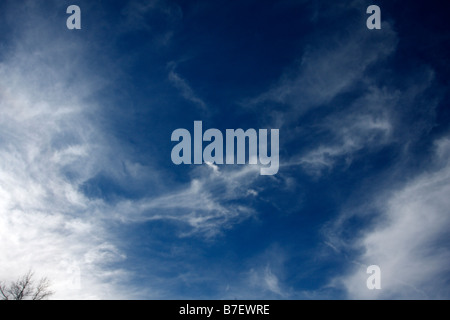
{"points": [[409, 241]]}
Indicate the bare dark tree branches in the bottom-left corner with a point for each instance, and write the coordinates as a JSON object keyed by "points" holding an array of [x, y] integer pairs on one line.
{"points": [[25, 288]]}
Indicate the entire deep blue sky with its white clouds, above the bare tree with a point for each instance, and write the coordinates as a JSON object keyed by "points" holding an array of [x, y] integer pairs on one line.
{"points": [[89, 195]]}
